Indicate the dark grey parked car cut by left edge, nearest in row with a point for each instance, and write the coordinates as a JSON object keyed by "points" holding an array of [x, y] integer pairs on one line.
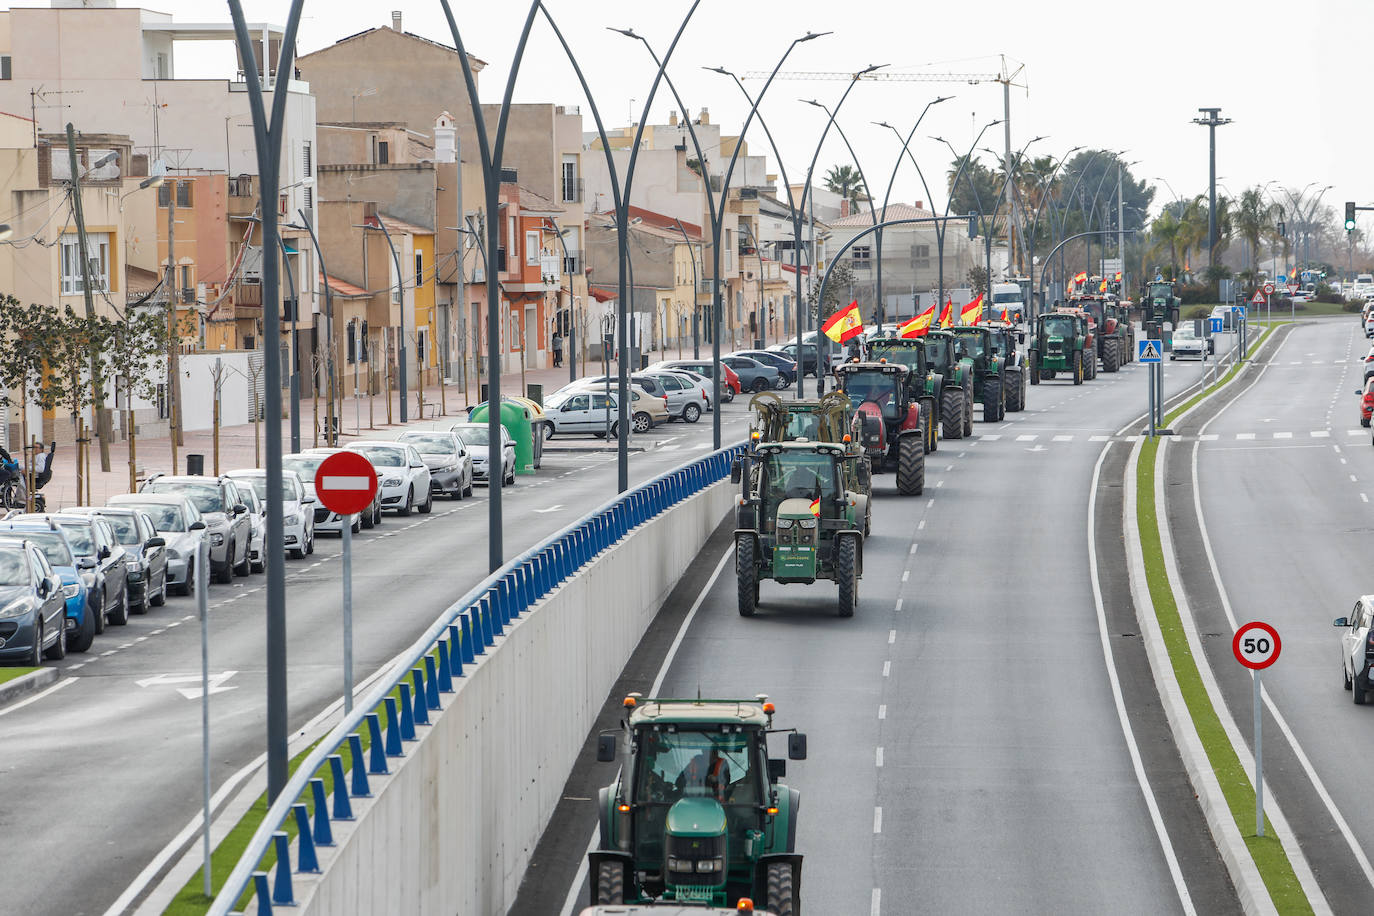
{"points": [[32, 606]]}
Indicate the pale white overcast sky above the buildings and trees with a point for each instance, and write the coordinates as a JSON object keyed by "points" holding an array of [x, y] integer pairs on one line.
{"points": [[1096, 75]]}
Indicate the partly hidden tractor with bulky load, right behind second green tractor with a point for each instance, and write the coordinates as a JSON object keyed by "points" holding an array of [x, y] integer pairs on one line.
{"points": [[826, 420]]}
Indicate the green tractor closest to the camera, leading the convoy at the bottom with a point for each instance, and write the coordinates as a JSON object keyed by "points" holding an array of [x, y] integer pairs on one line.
{"points": [[699, 815]]}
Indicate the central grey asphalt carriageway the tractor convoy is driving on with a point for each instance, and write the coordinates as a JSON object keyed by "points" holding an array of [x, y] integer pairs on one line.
{"points": [[967, 752]]}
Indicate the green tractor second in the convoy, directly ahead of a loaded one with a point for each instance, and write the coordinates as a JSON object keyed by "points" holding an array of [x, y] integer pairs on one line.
{"points": [[796, 521]]}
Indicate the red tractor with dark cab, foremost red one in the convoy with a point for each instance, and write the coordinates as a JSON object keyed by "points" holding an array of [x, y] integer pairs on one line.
{"points": [[894, 428]]}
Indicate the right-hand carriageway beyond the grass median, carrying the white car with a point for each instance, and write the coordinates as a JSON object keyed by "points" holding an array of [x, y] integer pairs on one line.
{"points": [[1283, 477]]}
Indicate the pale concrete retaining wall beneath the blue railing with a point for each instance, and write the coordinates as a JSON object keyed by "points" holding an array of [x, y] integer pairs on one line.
{"points": [[451, 830]]}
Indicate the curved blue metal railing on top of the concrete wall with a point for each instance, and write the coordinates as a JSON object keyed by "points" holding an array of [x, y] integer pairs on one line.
{"points": [[466, 631]]}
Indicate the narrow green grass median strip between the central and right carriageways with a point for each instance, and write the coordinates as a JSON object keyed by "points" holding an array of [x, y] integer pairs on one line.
{"points": [[1273, 863]]}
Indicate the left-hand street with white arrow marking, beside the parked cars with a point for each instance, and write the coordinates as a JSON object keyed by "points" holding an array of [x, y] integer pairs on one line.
{"points": [[102, 772]]}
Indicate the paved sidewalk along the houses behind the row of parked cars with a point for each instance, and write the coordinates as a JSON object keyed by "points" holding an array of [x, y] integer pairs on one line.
{"points": [[237, 443]]}
